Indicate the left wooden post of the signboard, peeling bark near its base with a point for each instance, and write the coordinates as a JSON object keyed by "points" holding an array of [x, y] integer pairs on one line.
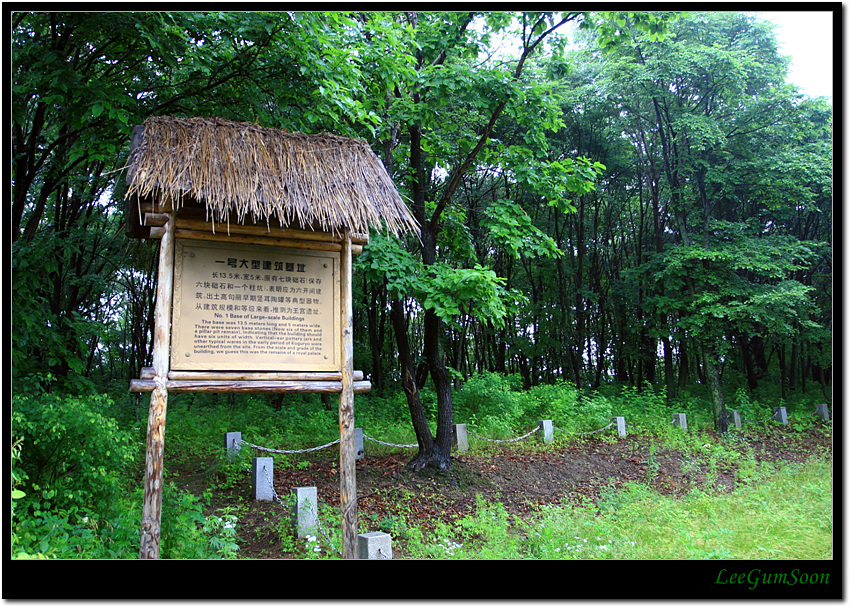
{"points": [[154, 449]]}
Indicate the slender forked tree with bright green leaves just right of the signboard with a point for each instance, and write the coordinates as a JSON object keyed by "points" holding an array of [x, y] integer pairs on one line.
{"points": [[449, 109]]}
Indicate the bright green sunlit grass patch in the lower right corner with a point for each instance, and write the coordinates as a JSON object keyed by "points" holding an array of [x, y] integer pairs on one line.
{"points": [[786, 515]]}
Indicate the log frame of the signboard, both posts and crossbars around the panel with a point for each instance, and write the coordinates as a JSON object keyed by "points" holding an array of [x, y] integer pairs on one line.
{"points": [[170, 228]]}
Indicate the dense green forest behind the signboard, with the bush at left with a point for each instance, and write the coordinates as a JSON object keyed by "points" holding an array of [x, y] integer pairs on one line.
{"points": [[609, 201]]}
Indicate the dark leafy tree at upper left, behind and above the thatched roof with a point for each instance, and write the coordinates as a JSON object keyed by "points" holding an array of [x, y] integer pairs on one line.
{"points": [[81, 81]]}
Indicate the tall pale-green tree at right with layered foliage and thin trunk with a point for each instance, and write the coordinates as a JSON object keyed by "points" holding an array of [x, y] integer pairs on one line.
{"points": [[710, 96]]}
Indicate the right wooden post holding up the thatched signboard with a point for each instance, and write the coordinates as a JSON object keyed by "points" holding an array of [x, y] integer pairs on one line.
{"points": [[347, 451]]}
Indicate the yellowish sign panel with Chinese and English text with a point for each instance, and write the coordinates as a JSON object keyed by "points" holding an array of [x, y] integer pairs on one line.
{"points": [[254, 308]]}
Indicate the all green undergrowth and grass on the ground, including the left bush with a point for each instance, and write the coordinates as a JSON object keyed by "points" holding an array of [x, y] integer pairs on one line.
{"points": [[77, 466]]}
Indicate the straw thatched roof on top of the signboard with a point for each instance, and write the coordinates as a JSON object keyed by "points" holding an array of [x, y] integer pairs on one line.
{"points": [[241, 171]]}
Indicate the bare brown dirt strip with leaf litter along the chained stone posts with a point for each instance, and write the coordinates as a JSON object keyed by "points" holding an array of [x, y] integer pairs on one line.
{"points": [[522, 476]]}
